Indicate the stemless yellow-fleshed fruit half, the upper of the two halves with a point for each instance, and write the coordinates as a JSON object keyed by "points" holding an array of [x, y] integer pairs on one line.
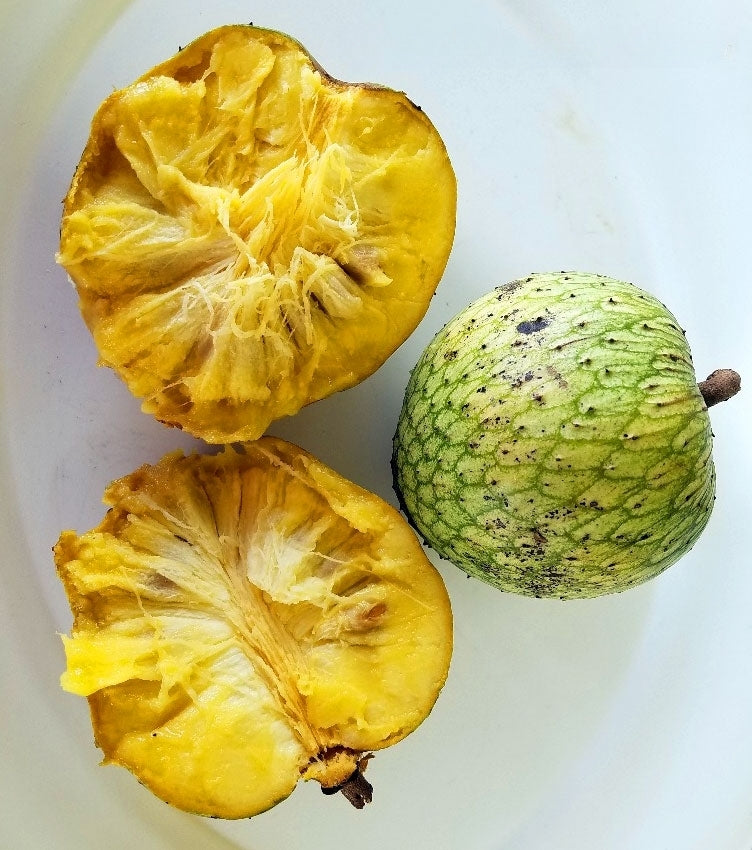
{"points": [[248, 235]]}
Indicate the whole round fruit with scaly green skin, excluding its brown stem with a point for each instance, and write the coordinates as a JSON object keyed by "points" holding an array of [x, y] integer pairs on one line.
{"points": [[553, 441]]}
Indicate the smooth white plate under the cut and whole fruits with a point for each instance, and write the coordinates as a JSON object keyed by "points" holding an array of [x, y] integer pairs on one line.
{"points": [[602, 136]]}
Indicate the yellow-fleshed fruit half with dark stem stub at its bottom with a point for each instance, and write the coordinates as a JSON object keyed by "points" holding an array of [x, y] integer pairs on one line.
{"points": [[249, 619]]}
